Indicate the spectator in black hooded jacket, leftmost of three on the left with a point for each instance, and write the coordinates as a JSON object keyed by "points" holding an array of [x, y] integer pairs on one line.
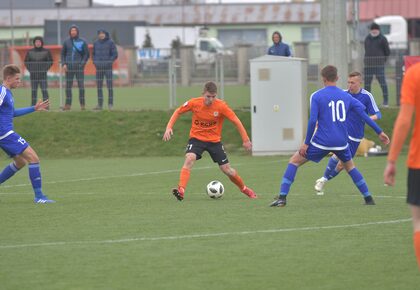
{"points": [[38, 61]]}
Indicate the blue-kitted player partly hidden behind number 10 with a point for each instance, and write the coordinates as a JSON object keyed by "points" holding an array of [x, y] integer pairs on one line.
{"points": [[355, 127]]}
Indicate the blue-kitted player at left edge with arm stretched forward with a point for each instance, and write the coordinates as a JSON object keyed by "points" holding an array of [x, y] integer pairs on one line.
{"points": [[13, 144]]}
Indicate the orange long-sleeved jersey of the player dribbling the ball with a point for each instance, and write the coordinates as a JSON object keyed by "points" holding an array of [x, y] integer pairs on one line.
{"points": [[207, 121]]}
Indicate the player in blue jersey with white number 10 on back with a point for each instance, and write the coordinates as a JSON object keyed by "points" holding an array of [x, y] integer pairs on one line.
{"points": [[330, 107]]}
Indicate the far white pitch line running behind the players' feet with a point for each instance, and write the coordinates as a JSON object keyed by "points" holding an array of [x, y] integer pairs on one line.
{"points": [[130, 175]]}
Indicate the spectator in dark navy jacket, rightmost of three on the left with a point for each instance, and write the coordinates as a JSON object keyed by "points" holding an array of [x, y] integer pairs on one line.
{"points": [[104, 54]]}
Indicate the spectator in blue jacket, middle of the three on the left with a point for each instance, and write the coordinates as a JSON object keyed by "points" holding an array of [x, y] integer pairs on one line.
{"points": [[74, 56]]}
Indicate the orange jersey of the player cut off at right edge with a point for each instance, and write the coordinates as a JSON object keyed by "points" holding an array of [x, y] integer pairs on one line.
{"points": [[410, 94]]}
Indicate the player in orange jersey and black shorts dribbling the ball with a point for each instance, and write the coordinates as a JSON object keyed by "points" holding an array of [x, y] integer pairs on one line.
{"points": [[208, 114]]}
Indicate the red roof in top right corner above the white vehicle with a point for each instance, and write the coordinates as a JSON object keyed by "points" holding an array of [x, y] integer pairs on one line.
{"points": [[370, 9]]}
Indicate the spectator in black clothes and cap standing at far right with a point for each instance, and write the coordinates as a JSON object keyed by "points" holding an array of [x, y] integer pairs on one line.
{"points": [[376, 54]]}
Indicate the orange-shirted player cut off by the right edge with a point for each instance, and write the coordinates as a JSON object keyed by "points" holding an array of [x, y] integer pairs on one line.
{"points": [[410, 104]]}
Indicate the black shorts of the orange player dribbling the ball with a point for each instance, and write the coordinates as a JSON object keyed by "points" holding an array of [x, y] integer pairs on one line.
{"points": [[216, 150]]}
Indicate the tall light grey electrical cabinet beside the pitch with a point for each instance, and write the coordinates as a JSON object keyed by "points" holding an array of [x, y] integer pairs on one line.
{"points": [[279, 104]]}
